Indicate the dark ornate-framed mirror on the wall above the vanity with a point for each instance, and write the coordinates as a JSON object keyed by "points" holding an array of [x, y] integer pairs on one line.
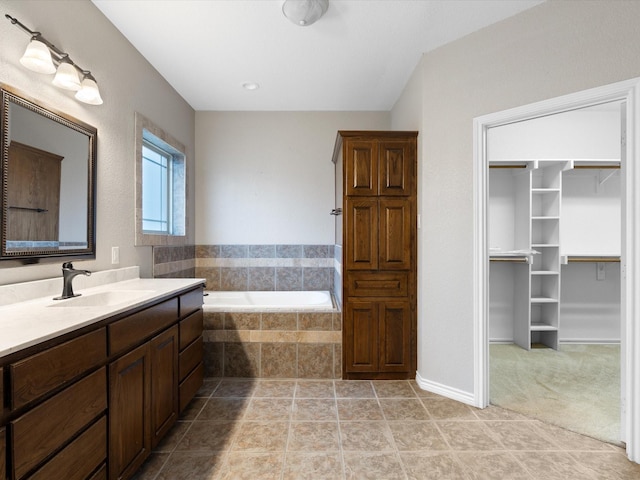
{"points": [[48, 183]]}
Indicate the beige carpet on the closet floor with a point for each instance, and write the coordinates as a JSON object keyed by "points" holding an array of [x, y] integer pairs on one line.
{"points": [[576, 387]]}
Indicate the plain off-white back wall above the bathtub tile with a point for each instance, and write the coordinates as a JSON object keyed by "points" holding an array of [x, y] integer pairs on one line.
{"points": [[267, 177]]}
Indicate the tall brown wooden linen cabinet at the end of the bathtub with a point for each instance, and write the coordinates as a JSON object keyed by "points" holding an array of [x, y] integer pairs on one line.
{"points": [[376, 193]]}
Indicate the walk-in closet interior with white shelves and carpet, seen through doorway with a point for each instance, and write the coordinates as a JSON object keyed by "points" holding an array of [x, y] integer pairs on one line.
{"points": [[554, 275]]}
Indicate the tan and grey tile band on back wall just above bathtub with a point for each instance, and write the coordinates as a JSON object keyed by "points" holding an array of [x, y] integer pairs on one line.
{"points": [[266, 267]]}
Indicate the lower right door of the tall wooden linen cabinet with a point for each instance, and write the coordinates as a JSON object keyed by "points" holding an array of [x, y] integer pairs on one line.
{"points": [[395, 336]]}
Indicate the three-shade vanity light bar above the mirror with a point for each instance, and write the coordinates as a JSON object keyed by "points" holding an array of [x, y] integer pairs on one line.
{"points": [[42, 56]]}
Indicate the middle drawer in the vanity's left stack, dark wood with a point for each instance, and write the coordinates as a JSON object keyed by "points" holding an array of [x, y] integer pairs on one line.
{"points": [[41, 431]]}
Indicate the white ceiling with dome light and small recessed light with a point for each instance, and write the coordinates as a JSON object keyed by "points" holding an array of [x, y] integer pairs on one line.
{"points": [[358, 57]]}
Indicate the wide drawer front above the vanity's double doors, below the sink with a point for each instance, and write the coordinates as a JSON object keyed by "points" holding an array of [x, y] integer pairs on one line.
{"points": [[132, 330]]}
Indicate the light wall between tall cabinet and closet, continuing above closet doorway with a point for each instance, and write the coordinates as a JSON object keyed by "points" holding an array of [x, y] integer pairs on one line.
{"points": [[553, 49]]}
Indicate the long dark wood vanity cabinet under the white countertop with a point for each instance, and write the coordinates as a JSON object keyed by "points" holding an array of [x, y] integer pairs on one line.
{"points": [[93, 404]]}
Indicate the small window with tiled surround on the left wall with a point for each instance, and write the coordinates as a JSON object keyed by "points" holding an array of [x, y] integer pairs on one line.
{"points": [[160, 188]]}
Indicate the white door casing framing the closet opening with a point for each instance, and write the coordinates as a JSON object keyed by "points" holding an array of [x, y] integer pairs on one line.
{"points": [[628, 94]]}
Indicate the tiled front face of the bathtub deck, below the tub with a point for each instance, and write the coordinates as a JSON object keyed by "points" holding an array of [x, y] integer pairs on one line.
{"points": [[284, 344]]}
